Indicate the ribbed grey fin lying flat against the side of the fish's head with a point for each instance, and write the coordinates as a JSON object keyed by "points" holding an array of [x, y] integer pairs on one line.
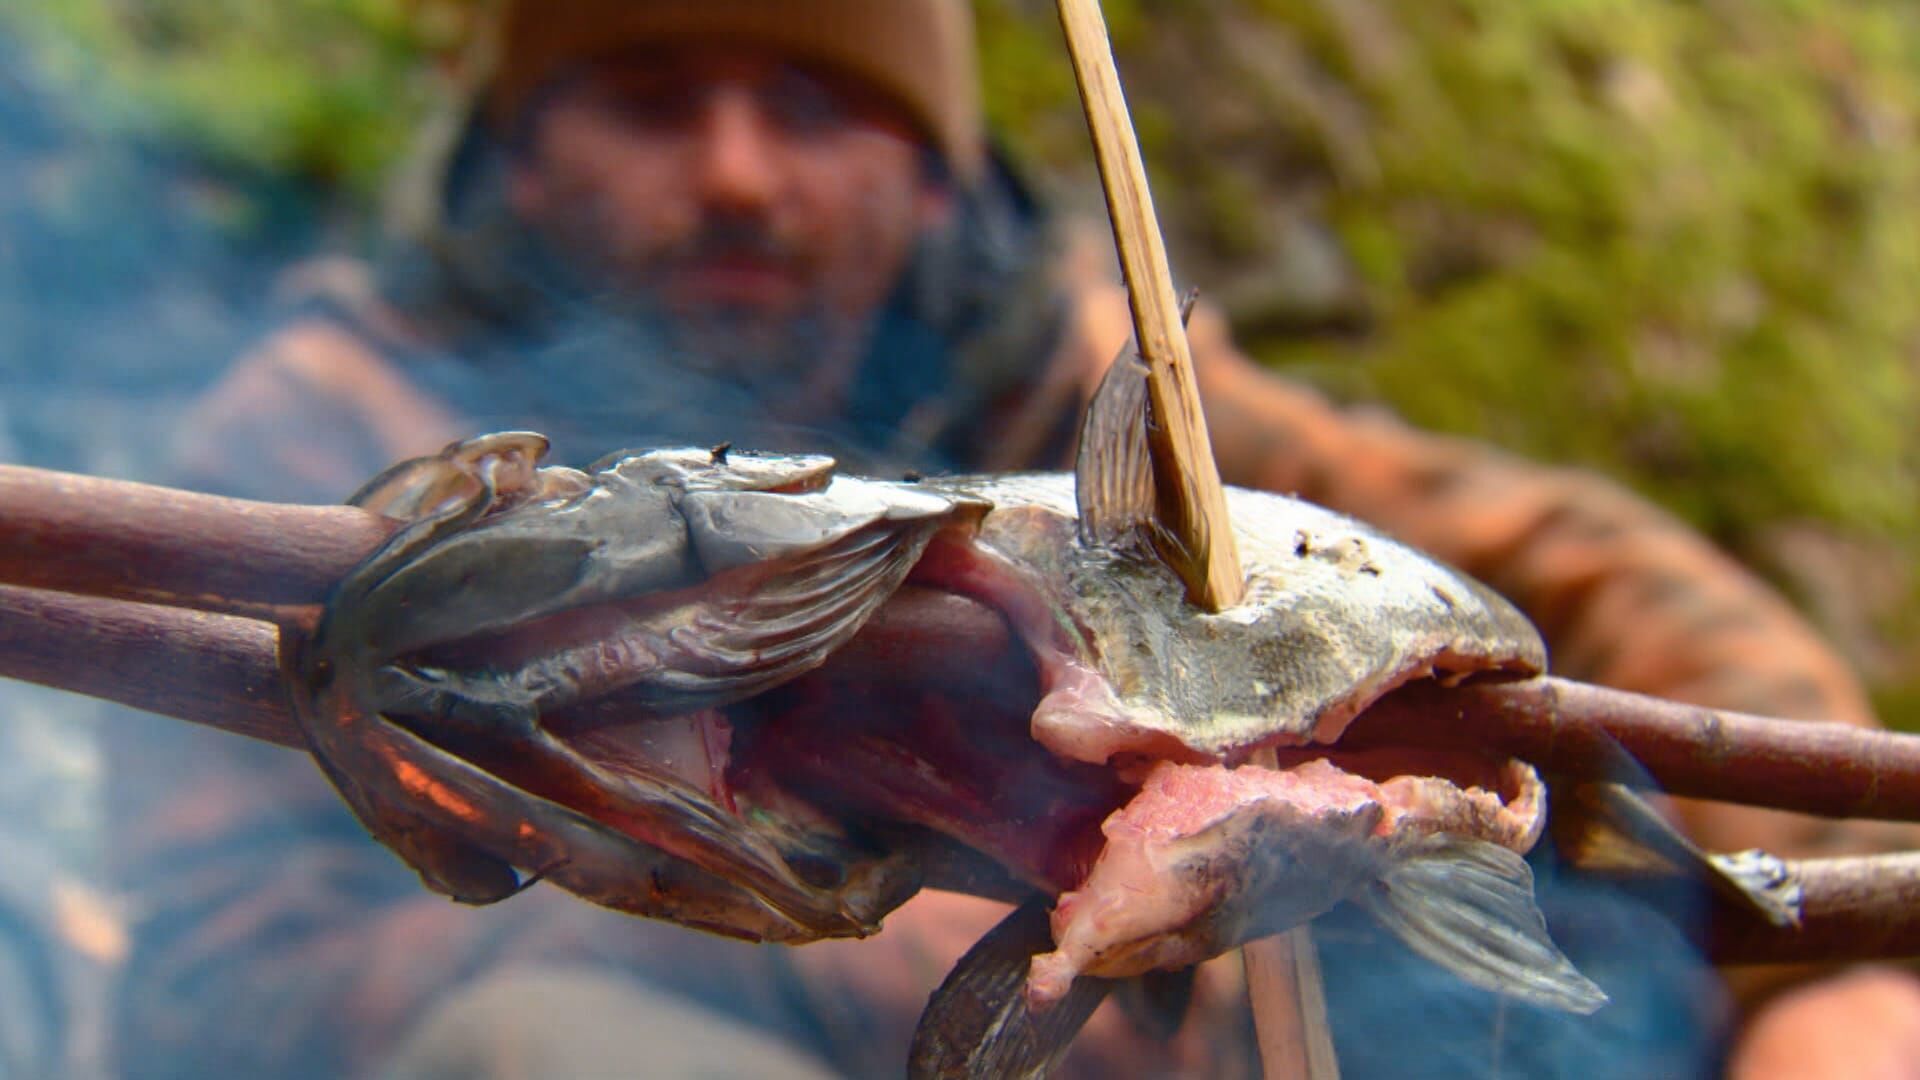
{"points": [[761, 631]]}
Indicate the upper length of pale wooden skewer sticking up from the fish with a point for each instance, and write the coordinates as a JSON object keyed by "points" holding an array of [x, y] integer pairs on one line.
{"points": [[1193, 506]]}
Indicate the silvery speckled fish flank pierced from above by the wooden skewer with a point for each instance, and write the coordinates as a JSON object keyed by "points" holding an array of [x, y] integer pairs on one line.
{"points": [[1335, 616]]}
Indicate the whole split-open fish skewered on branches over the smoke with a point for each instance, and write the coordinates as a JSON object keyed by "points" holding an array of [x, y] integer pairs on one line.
{"points": [[623, 681]]}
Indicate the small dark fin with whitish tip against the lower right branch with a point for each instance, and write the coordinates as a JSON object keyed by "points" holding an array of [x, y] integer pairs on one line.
{"points": [[1614, 829]]}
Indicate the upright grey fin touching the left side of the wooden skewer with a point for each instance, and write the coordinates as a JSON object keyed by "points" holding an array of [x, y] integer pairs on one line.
{"points": [[1115, 470]]}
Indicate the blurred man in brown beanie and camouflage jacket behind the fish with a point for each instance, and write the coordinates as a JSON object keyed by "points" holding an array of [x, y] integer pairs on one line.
{"points": [[780, 224]]}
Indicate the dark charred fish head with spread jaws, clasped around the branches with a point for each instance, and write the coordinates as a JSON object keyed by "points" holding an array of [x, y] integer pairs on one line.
{"points": [[529, 679]]}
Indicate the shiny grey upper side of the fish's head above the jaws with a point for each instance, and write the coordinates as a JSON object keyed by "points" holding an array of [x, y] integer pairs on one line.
{"points": [[517, 545]]}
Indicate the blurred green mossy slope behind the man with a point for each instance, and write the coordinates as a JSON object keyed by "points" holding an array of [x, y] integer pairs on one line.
{"points": [[1679, 243]]}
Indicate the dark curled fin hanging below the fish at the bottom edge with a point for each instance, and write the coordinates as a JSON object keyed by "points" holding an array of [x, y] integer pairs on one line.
{"points": [[980, 1023]]}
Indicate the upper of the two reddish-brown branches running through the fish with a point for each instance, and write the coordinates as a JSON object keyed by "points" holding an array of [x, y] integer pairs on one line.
{"points": [[133, 541]]}
